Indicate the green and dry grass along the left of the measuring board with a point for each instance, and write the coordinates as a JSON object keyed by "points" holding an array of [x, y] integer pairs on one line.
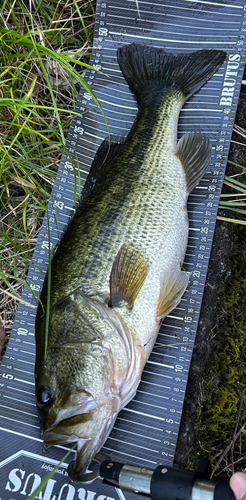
{"points": [[44, 51]]}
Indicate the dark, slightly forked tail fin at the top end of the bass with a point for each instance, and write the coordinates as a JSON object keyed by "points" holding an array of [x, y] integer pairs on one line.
{"points": [[148, 69]]}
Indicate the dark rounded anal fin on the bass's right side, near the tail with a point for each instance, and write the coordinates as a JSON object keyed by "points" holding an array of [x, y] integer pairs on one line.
{"points": [[194, 151]]}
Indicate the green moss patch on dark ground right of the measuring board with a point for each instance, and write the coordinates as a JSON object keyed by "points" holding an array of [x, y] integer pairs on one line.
{"points": [[222, 412]]}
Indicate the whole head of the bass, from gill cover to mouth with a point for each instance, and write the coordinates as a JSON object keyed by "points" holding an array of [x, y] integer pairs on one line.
{"points": [[78, 389]]}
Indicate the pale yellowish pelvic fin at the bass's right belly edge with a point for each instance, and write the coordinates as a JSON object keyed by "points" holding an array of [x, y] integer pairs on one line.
{"points": [[173, 286]]}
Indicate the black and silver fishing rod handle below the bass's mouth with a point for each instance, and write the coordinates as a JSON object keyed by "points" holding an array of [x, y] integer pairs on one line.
{"points": [[165, 483]]}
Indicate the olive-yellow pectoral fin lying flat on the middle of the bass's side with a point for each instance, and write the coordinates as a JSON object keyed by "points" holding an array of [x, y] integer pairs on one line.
{"points": [[128, 273]]}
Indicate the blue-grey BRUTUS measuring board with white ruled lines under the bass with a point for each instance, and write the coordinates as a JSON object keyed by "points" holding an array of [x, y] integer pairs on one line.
{"points": [[146, 431]]}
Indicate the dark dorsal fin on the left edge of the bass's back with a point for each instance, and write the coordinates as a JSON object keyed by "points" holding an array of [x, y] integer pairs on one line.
{"points": [[103, 159]]}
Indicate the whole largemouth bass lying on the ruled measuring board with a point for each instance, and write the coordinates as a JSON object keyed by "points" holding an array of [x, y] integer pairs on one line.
{"points": [[117, 271]]}
